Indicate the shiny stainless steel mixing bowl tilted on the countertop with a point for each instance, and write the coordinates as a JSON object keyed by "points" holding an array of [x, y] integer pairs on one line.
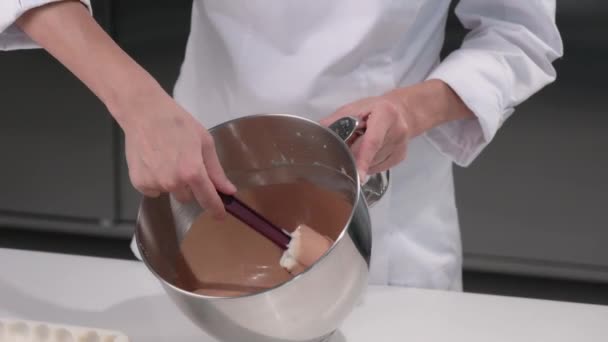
{"points": [[270, 149]]}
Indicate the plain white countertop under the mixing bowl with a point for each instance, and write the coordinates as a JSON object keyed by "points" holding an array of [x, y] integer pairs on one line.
{"points": [[123, 295]]}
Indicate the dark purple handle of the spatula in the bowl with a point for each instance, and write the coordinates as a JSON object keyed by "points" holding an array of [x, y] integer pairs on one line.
{"points": [[254, 220]]}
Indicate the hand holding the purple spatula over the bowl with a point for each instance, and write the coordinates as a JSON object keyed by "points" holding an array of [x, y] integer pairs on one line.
{"points": [[168, 150]]}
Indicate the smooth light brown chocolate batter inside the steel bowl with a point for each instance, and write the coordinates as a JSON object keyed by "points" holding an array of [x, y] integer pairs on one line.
{"points": [[226, 258]]}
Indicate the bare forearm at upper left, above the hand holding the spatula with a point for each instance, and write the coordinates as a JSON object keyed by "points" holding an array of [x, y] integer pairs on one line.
{"points": [[67, 31]]}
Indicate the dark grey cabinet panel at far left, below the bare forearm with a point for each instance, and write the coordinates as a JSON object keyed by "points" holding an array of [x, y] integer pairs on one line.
{"points": [[56, 146]]}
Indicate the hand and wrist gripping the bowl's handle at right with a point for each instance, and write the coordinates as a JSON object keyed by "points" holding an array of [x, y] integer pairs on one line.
{"points": [[390, 120]]}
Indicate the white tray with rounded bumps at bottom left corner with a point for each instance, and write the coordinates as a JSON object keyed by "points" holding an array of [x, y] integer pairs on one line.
{"points": [[30, 331]]}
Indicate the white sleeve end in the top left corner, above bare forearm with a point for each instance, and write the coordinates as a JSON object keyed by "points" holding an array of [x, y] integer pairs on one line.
{"points": [[11, 37]]}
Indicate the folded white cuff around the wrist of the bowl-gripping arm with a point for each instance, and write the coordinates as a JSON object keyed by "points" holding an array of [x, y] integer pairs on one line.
{"points": [[463, 140]]}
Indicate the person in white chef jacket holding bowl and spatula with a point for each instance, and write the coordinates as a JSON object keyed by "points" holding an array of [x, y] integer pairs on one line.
{"points": [[377, 60]]}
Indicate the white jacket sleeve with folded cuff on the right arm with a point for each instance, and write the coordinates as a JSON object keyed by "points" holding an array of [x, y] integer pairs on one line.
{"points": [[505, 58]]}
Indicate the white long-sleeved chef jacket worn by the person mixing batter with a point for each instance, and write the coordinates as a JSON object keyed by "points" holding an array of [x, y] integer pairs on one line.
{"points": [[310, 57]]}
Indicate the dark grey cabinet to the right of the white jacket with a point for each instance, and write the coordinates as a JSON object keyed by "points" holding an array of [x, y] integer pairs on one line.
{"points": [[535, 201]]}
